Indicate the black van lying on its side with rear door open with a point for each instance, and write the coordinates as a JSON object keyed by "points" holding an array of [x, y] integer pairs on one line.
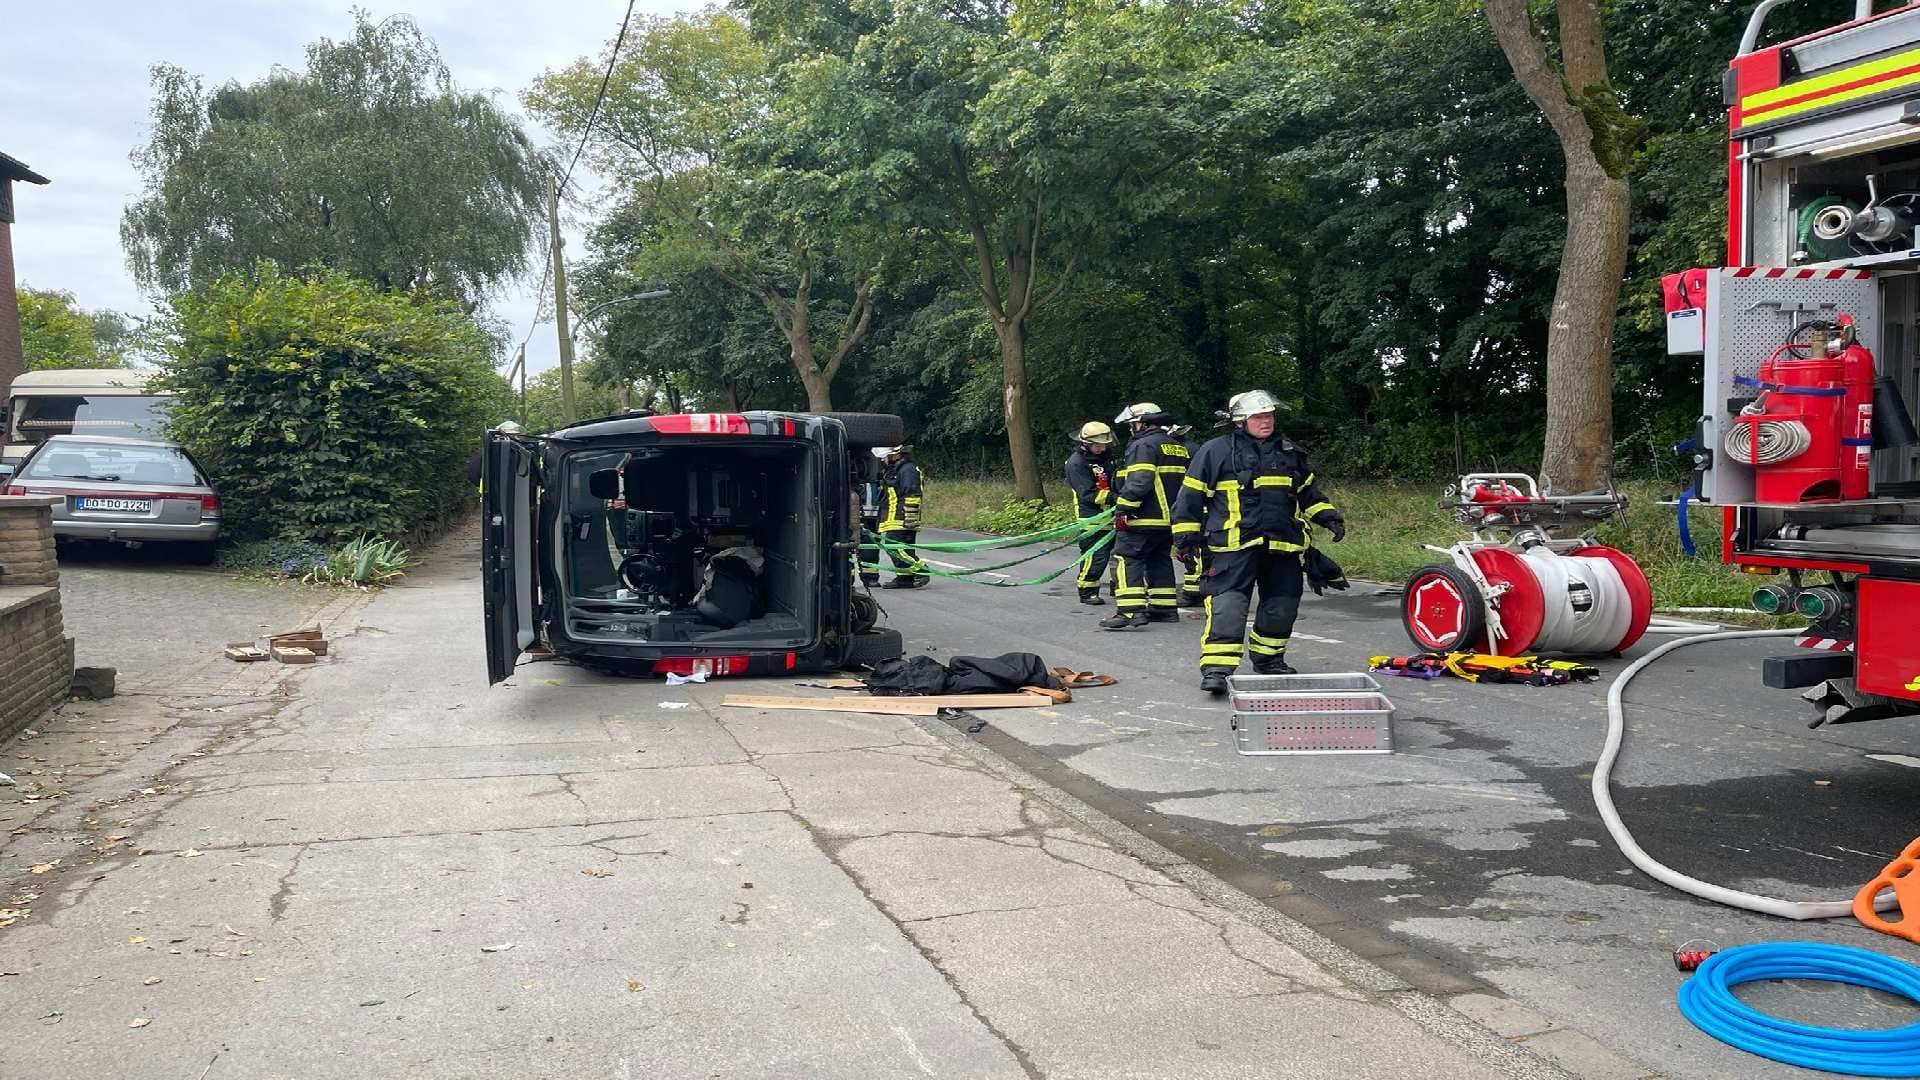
{"points": [[677, 545]]}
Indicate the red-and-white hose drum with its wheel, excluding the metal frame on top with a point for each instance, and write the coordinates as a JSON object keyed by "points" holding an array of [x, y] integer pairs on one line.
{"points": [[1587, 601]]}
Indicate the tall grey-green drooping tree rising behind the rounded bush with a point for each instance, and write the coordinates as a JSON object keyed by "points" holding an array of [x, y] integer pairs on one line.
{"points": [[372, 162]]}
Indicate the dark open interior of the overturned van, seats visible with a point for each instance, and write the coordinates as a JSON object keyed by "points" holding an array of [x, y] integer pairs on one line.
{"points": [[692, 545]]}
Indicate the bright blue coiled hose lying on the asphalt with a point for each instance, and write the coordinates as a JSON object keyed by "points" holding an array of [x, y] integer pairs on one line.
{"points": [[1708, 1000]]}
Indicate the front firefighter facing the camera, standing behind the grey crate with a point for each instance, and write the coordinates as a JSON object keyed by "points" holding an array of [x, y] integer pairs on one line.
{"points": [[1247, 501]]}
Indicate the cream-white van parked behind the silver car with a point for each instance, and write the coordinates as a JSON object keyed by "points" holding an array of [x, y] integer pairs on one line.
{"points": [[112, 403]]}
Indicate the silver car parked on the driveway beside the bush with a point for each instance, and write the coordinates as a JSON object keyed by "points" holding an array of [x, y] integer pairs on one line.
{"points": [[128, 491]]}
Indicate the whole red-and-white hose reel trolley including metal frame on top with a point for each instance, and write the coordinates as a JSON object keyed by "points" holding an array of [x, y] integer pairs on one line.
{"points": [[1529, 579]]}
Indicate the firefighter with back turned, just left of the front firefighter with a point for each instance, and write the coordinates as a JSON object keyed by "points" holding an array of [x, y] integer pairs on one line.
{"points": [[1143, 522]]}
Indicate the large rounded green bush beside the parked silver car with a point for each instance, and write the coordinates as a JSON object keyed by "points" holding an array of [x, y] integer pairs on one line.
{"points": [[325, 408]]}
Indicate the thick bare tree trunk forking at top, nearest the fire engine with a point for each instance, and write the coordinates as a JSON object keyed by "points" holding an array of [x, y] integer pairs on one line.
{"points": [[1598, 141]]}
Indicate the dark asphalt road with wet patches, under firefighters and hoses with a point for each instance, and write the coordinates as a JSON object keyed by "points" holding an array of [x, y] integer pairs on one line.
{"points": [[1474, 856]]}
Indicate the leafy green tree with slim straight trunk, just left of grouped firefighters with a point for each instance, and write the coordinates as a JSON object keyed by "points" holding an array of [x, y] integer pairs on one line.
{"points": [[1017, 137]]}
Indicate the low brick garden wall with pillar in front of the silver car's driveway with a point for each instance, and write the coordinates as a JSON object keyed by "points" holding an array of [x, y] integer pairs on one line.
{"points": [[36, 652]]}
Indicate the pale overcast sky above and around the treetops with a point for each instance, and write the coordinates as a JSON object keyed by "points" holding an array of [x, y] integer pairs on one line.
{"points": [[74, 78]]}
